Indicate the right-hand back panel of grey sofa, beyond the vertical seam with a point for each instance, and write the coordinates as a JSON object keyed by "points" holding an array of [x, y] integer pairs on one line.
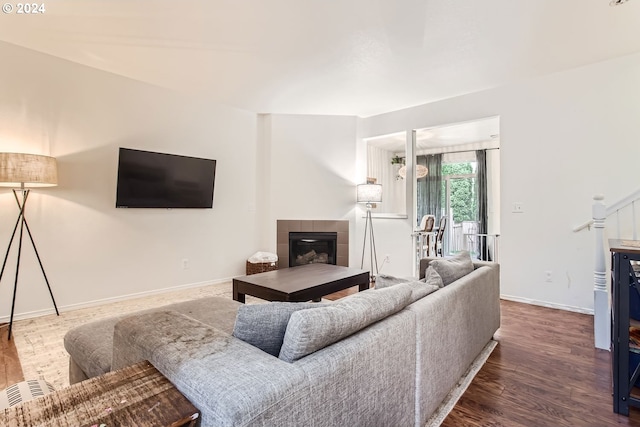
{"points": [[467, 314]]}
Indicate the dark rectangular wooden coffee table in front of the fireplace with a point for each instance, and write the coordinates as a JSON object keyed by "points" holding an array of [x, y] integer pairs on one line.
{"points": [[303, 283]]}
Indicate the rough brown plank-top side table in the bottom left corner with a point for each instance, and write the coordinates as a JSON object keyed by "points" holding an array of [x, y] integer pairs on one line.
{"points": [[138, 395]]}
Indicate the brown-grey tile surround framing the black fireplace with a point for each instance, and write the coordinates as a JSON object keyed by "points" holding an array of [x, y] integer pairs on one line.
{"points": [[341, 227]]}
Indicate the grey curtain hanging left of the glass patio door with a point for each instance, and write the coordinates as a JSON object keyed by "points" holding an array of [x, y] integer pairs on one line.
{"points": [[429, 188]]}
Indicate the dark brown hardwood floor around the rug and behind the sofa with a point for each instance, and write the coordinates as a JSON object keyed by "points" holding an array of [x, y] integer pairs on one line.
{"points": [[544, 372]]}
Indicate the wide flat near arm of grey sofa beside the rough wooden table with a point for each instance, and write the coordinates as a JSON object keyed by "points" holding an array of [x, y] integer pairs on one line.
{"points": [[231, 382]]}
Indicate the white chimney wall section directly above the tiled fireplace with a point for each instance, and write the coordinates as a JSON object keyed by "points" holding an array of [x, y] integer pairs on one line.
{"points": [[309, 171]]}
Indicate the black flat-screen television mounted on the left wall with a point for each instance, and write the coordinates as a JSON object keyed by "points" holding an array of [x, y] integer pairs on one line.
{"points": [[157, 180]]}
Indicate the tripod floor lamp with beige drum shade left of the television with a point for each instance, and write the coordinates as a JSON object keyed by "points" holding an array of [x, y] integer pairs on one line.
{"points": [[22, 171]]}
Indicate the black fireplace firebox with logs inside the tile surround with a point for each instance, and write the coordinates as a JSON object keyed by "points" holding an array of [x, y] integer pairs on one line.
{"points": [[312, 247]]}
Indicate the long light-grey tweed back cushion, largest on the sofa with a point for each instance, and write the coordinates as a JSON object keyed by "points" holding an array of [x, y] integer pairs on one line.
{"points": [[311, 330]]}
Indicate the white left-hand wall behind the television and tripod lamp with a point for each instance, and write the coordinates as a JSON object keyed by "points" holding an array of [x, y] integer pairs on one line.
{"points": [[91, 250]]}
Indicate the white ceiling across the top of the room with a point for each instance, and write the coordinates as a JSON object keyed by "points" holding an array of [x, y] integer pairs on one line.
{"points": [[353, 57]]}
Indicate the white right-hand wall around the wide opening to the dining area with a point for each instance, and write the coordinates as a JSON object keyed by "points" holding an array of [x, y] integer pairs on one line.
{"points": [[564, 138]]}
